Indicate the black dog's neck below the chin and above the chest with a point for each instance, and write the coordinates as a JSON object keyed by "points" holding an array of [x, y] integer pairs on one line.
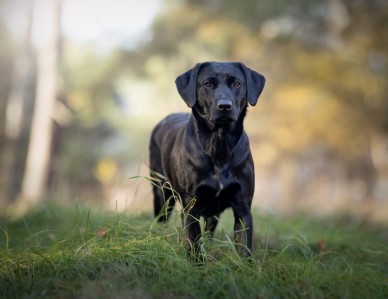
{"points": [[218, 141]]}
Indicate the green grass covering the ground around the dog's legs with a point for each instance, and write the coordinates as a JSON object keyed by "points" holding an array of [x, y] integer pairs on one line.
{"points": [[63, 252]]}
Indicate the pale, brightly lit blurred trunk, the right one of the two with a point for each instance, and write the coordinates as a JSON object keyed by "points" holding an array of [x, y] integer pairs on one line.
{"points": [[39, 149]]}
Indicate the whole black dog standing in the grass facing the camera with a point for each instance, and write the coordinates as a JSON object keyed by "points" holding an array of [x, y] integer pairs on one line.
{"points": [[204, 156]]}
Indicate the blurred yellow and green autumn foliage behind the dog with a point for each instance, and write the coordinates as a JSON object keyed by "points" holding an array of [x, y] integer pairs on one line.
{"points": [[318, 133]]}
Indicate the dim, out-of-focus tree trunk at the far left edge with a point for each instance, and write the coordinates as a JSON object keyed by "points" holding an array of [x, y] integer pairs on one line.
{"points": [[13, 156]]}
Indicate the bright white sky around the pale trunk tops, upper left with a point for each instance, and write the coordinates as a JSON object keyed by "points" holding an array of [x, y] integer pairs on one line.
{"points": [[109, 23]]}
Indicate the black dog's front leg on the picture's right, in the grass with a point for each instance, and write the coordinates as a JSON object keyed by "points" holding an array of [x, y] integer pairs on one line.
{"points": [[243, 229]]}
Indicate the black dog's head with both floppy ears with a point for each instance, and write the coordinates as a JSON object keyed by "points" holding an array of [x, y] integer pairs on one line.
{"points": [[220, 91]]}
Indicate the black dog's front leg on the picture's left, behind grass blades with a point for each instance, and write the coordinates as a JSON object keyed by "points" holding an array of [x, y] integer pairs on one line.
{"points": [[192, 230]]}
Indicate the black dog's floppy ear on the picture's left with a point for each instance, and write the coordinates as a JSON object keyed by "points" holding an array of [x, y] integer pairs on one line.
{"points": [[187, 85]]}
